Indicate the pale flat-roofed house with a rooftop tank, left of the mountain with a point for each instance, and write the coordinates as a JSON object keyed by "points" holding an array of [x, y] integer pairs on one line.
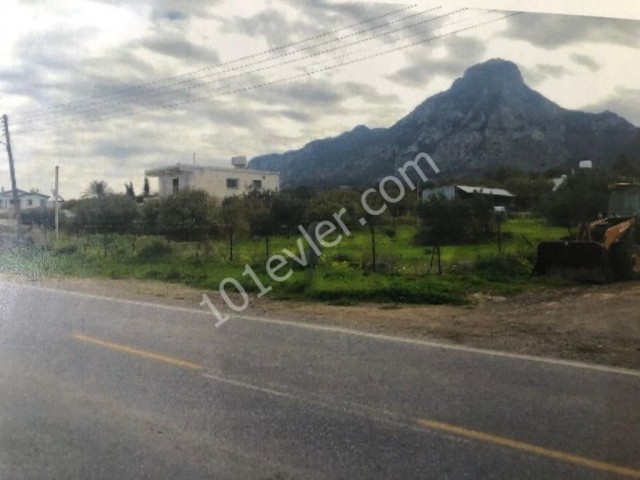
{"points": [[216, 181]]}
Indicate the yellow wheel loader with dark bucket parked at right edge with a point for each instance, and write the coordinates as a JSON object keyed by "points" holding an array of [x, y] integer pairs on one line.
{"points": [[605, 250]]}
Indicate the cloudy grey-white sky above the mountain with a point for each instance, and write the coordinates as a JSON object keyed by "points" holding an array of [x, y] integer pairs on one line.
{"points": [[107, 89]]}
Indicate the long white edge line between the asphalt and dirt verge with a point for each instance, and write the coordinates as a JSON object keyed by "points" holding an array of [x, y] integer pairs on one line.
{"points": [[347, 331]]}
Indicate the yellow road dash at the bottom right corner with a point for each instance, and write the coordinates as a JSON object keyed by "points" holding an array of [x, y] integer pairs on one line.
{"points": [[529, 448]]}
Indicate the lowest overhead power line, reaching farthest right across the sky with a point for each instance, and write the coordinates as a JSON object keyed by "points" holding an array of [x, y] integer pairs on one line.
{"points": [[299, 76]]}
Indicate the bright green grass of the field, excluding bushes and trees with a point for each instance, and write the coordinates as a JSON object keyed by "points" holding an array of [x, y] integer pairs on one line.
{"points": [[405, 272]]}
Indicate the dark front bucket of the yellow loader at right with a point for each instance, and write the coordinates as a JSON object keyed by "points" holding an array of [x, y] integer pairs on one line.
{"points": [[575, 260]]}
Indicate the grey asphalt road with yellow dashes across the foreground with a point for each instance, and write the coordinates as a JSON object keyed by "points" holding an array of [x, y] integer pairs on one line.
{"points": [[99, 388]]}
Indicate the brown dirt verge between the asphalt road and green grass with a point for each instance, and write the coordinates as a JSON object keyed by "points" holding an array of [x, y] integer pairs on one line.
{"points": [[592, 323]]}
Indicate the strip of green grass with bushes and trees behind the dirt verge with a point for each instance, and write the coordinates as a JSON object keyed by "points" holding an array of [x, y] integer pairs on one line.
{"points": [[441, 251]]}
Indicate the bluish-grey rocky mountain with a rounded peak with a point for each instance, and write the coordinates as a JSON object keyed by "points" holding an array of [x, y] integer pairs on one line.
{"points": [[488, 118]]}
